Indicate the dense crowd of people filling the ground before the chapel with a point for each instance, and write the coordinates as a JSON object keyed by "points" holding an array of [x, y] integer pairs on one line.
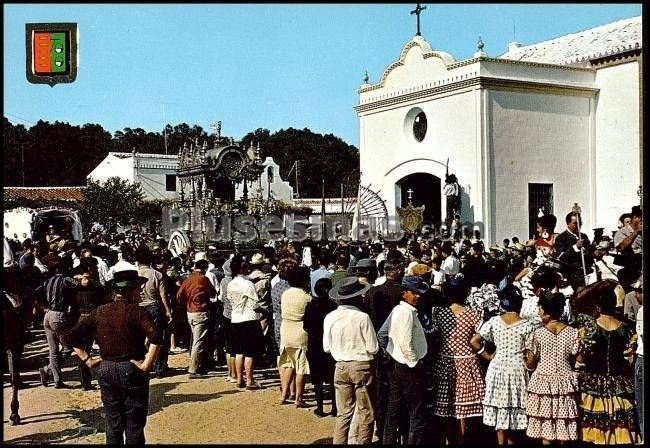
{"points": [[413, 341]]}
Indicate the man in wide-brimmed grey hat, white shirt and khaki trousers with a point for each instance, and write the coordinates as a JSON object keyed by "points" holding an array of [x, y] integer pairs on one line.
{"points": [[349, 336]]}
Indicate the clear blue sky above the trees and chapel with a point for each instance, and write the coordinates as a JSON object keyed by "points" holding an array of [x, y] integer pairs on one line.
{"points": [[254, 66]]}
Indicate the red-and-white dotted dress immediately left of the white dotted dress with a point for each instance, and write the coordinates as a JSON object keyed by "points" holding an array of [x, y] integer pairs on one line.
{"points": [[459, 384]]}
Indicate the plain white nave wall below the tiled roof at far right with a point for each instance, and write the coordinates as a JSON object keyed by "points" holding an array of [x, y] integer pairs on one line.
{"points": [[617, 143]]}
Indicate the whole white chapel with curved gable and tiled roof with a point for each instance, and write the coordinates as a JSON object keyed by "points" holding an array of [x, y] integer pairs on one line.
{"points": [[544, 126]]}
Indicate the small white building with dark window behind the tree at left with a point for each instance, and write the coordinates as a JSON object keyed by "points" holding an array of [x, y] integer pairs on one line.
{"points": [[156, 173]]}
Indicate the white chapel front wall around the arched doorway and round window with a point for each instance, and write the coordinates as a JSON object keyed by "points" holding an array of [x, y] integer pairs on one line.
{"points": [[388, 150]]}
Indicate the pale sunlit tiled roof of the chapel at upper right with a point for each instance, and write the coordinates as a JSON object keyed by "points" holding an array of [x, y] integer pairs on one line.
{"points": [[613, 38]]}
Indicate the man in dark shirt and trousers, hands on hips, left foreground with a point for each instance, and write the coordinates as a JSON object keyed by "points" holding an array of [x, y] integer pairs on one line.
{"points": [[120, 329]]}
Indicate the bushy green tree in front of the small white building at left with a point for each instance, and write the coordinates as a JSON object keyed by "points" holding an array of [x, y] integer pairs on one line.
{"points": [[116, 198]]}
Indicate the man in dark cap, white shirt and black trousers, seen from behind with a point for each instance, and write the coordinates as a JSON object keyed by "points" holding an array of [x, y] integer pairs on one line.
{"points": [[407, 346]]}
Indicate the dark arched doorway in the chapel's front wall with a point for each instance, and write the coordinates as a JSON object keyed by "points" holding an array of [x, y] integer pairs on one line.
{"points": [[425, 190]]}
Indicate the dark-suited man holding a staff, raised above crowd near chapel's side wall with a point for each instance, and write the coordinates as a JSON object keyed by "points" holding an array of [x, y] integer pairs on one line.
{"points": [[568, 245]]}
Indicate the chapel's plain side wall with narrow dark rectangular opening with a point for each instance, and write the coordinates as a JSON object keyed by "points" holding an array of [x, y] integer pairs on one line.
{"points": [[538, 138]]}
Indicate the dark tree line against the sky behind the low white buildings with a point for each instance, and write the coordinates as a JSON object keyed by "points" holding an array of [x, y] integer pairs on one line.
{"points": [[60, 154]]}
